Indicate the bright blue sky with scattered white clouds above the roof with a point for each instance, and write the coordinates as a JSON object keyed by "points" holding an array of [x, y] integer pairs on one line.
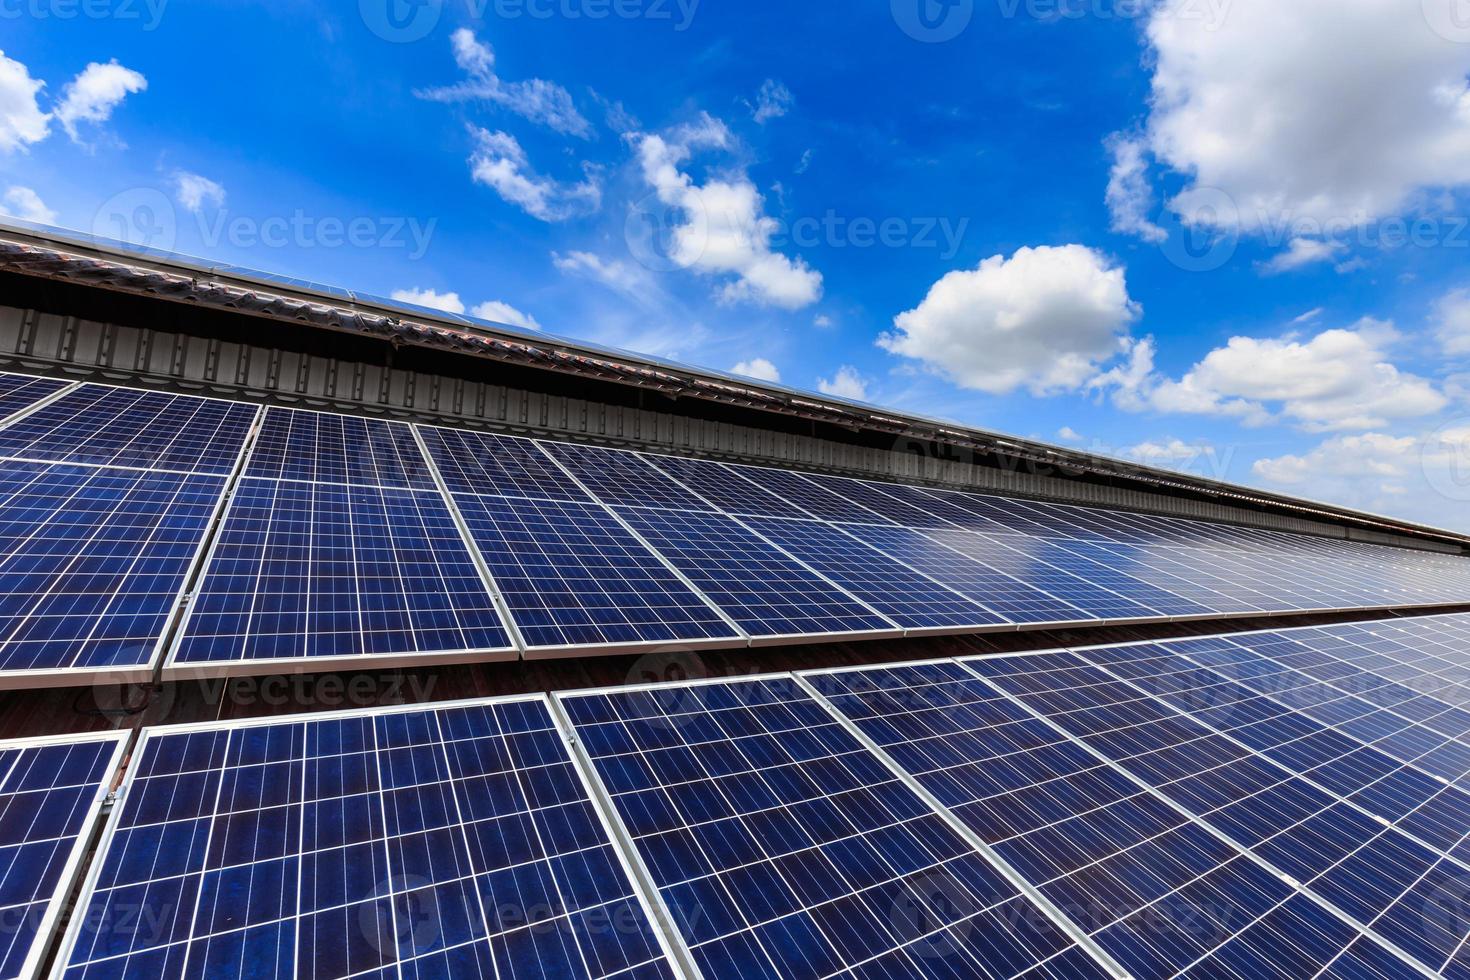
{"points": [[1224, 236]]}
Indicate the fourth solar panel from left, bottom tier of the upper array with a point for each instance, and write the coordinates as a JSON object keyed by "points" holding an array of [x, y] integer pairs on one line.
{"points": [[753, 583]]}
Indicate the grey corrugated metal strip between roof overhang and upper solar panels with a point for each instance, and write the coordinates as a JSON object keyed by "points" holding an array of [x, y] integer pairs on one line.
{"points": [[55, 345]]}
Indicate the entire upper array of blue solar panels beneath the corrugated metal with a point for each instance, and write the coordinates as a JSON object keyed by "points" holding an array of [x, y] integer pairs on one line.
{"points": [[352, 540]]}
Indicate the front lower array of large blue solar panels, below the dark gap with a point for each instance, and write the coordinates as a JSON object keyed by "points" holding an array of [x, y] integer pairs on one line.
{"points": [[1278, 804]]}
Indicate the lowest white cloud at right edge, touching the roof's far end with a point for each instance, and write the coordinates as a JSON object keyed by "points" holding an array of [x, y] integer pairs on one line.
{"points": [[1422, 477]]}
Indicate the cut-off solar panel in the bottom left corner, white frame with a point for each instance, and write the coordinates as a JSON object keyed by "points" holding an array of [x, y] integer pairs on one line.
{"points": [[51, 797]]}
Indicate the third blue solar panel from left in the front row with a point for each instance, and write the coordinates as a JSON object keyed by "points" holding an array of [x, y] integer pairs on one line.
{"points": [[786, 851]]}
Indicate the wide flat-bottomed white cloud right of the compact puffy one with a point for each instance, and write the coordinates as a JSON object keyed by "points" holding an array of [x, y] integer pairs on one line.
{"points": [[1338, 380]]}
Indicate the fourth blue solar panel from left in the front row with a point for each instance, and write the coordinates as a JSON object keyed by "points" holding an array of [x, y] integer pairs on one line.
{"points": [[1140, 878]]}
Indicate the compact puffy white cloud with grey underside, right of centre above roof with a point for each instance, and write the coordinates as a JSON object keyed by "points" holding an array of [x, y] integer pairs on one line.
{"points": [[1046, 320]]}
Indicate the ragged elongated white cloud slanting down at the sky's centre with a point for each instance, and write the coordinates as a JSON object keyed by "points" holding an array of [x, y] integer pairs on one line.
{"points": [[725, 230]]}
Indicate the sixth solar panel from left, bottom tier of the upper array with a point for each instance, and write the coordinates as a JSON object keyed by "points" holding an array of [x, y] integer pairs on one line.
{"points": [[1006, 596]]}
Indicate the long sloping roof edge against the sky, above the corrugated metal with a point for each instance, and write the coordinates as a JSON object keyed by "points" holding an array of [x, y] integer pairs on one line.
{"points": [[86, 261]]}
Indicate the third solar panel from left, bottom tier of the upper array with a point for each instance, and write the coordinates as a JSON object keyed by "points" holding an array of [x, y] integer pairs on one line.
{"points": [[573, 575]]}
